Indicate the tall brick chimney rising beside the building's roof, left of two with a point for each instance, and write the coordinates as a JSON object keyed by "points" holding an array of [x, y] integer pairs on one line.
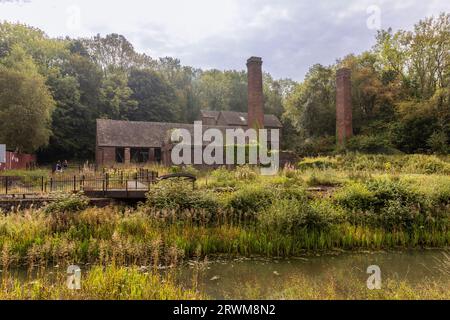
{"points": [[255, 93]]}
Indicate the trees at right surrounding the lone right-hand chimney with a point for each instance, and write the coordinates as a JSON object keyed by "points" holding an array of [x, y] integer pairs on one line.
{"points": [[399, 88]]}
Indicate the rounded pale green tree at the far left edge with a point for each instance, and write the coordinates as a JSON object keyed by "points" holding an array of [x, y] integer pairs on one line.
{"points": [[25, 103]]}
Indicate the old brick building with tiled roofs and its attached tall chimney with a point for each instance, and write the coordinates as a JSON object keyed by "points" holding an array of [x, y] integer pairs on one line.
{"points": [[141, 142]]}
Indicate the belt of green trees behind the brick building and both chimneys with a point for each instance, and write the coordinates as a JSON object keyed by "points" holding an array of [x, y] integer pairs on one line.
{"points": [[53, 90]]}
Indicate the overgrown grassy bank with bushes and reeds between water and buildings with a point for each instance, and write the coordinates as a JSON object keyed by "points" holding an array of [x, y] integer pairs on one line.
{"points": [[373, 203]]}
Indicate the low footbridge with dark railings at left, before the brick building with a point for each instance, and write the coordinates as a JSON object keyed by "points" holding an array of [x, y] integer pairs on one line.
{"points": [[118, 185]]}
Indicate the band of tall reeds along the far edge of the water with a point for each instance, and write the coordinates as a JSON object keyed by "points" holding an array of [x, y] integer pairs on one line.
{"points": [[126, 237]]}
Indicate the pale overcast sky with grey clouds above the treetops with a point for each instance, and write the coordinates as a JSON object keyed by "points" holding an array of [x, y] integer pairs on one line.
{"points": [[290, 35]]}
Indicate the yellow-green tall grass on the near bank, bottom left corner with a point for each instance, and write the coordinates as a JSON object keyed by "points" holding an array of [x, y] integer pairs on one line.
{"points": [[99, 283]]}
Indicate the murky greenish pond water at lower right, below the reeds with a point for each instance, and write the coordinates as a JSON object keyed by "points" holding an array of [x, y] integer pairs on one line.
{"points": [[225, 279]]}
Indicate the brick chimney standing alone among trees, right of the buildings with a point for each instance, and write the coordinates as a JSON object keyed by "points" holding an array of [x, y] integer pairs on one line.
{"points": [[344, 127]]}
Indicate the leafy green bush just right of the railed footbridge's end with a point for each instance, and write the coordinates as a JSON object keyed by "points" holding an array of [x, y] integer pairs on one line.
{"points": [[180, 196]]}
